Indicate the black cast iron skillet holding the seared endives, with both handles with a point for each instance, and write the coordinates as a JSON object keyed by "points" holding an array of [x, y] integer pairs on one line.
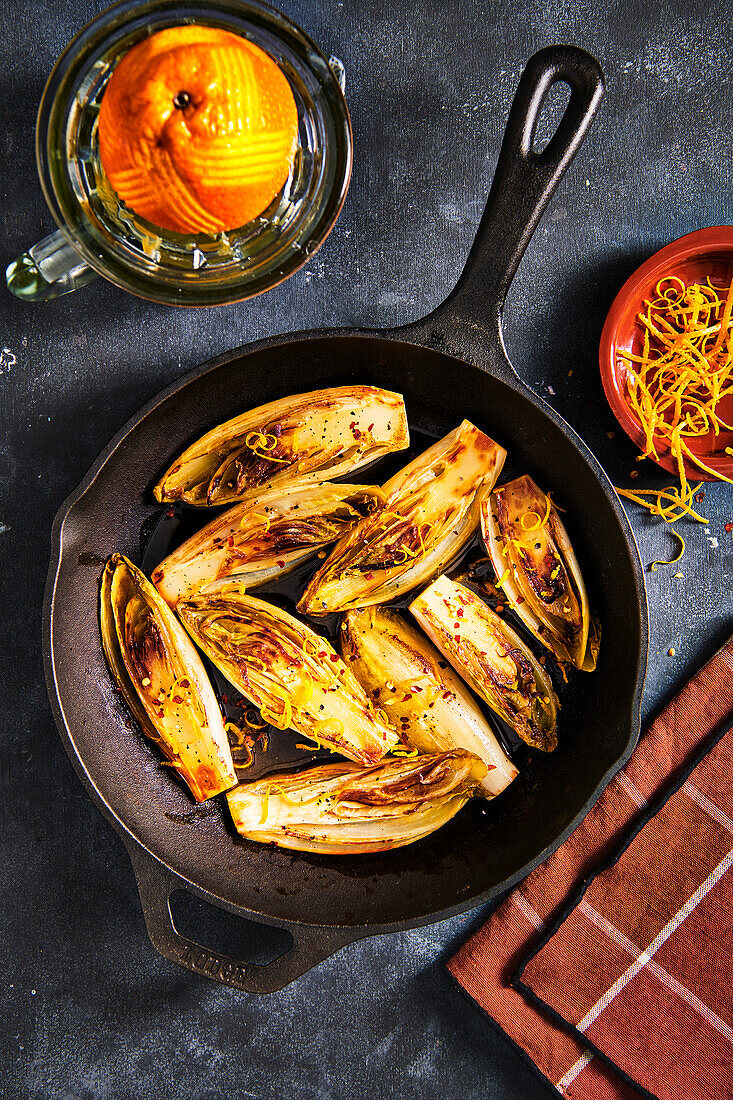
{"points": [[450, 366]]}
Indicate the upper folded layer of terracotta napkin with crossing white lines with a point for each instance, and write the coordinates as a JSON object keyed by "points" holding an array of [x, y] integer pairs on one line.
{"points": [[643, 966]]}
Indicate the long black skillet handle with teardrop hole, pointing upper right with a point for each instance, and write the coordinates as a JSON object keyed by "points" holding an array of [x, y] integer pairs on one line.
{"points": [[471, 318]]}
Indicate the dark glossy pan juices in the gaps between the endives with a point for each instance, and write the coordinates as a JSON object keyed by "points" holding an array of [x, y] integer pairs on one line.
{"points": [[275, 750]]}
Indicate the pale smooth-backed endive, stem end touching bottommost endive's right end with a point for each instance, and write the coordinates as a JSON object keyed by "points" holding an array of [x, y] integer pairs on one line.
{"points": [[424, 699]]}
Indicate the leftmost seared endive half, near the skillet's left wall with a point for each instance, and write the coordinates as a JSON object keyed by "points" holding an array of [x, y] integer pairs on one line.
{"points": [[162, 679]]}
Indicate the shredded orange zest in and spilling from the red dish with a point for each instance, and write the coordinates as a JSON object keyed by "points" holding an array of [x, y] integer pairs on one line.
{"points": [[675, 386]]}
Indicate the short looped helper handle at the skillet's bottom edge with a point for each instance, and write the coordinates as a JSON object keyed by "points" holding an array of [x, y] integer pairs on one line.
{"points": [[156, 885]]}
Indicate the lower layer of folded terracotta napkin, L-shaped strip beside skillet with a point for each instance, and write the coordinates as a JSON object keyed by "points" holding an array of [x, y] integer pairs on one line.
{"points": [[487, 964]]}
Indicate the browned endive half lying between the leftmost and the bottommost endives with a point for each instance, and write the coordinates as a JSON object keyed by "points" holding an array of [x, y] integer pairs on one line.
{"points": [[293, 675]]}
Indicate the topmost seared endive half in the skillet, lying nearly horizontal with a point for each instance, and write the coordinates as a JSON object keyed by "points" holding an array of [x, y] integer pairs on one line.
{"points": [[320, 436]]}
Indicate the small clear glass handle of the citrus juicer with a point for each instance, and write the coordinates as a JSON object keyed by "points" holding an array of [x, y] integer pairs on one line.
{"points": [[48, 270]]}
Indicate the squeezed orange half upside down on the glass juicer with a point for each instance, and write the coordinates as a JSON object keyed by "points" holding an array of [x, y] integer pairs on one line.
{"points": [[198, 130]]}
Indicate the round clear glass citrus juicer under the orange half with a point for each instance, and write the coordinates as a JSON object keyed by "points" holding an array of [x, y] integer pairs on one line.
{"points": [[99, 235]]}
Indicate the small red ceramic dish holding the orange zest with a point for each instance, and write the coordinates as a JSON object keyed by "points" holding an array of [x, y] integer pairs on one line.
{"points": [[692, 258]]}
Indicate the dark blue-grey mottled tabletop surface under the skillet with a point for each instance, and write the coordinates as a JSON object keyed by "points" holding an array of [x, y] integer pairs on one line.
{"points": [[89, 1010]]}
